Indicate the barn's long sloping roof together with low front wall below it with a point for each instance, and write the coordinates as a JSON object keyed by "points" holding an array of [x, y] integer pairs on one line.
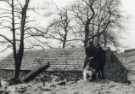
{"points": [[65, 61]]}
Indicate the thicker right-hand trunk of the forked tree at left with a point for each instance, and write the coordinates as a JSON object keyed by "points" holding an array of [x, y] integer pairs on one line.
{"points": [[19, 54]]}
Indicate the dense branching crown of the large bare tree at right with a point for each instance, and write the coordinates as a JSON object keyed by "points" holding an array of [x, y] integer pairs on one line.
{"points": [[98, 19]]}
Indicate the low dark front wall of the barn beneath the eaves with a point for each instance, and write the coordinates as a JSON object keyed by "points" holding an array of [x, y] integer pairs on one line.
{"points": [[69, 75]]}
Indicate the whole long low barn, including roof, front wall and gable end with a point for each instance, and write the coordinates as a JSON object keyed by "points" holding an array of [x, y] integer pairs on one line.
{"points": [[68, 63]]}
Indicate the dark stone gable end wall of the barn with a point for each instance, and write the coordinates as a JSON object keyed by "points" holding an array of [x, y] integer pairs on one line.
{"points": [[114, 68]]}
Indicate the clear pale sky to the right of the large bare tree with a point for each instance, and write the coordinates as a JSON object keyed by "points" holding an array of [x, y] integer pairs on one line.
{"points": [[129, 10]]}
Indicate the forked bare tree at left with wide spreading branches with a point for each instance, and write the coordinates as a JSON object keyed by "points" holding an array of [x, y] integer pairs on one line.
{"points": [[18, 24]]}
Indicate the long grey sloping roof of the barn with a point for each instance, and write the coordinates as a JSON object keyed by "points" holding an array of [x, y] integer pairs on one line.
{"points": [[60, 59]]}
